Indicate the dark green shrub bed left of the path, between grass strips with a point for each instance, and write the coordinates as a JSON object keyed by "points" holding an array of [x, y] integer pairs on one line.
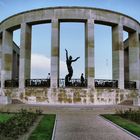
{"points": [[18, 124]]}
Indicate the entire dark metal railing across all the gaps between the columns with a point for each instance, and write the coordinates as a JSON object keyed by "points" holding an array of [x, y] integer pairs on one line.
{"points": [[73, 83]]}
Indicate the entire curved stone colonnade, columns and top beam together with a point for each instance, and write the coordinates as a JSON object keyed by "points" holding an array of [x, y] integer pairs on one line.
{"points": [[89, 16]]}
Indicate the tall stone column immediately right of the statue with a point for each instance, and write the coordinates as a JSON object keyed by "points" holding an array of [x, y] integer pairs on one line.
{"points": [[89, 53]]}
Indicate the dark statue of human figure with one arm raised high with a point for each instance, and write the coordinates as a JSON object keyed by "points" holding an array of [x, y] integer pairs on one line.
{"points": [[69, 67]]}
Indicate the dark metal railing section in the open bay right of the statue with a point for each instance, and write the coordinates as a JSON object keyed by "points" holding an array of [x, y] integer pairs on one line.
{"points": [[106, 83]]}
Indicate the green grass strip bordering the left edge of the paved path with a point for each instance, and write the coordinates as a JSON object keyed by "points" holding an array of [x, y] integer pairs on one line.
{"points": [[44, 129]]}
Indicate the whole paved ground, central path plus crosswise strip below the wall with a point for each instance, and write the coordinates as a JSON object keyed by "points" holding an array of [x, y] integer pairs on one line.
{"points": [[76, 122]]}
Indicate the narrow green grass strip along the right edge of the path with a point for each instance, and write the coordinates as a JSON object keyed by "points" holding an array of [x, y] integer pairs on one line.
{"points": [[124, 123]]}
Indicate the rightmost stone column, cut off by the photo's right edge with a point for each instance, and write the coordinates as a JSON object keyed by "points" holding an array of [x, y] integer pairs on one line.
{"points": [[134, 61]]}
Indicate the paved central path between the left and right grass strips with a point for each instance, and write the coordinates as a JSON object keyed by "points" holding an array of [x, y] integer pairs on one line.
{"points": [[86, 125]]}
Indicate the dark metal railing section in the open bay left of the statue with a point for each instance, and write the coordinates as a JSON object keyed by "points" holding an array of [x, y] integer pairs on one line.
{"points": [[37, 83]]}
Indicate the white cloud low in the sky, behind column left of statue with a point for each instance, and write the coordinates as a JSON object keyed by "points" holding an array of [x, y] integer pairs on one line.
{"points": [[40, 66]]}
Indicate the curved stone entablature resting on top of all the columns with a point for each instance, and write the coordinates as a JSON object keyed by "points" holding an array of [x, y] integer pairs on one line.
{"points": [[72, 14]]}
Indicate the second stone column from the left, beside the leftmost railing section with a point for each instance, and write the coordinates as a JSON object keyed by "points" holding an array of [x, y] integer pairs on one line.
{"points": [[25, 54]]}
